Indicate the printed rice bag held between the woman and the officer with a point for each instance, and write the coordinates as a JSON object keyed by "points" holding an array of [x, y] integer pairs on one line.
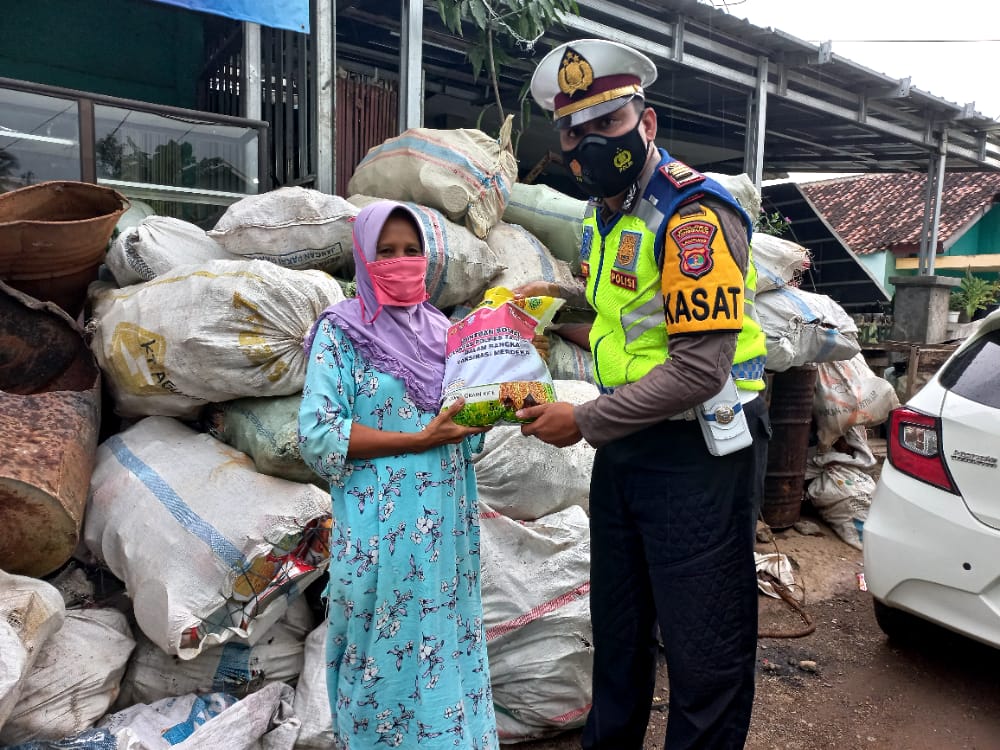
{"points": [[491, 361]]}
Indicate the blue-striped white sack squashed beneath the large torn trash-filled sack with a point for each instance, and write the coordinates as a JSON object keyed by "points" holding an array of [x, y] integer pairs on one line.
{"points": [[237, 668]]}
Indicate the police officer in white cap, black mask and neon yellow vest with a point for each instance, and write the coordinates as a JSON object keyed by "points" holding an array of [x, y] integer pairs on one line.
{"points": [[666, 259]]}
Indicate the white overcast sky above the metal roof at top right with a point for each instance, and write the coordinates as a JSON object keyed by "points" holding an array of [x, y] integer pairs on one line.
{"points": [[960, 72]]}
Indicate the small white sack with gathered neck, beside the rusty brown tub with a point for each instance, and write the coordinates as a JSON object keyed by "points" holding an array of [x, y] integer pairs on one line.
{"points": [[157, 245]]}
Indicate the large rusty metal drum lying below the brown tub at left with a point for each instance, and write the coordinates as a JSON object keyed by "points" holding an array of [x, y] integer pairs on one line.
{"points": [[50, 405]]}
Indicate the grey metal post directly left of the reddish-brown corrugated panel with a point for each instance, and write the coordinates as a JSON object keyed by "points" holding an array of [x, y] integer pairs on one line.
{"points": [[326, 95]]}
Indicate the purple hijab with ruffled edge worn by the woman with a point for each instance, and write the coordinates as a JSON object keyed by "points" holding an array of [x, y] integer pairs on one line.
{"points": [[407, 342]]}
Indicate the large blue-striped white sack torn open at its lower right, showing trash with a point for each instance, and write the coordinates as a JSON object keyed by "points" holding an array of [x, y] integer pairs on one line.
{"points": [[208, 547]]}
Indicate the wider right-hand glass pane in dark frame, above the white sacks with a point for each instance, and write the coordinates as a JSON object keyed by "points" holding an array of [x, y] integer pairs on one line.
{"points": [[185, 168]]}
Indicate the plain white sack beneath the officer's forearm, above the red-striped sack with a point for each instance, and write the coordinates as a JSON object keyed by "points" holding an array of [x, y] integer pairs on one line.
{"points": [[524, 478]]}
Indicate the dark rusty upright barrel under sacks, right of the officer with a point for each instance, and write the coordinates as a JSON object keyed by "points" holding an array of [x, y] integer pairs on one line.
{"points": [[790, 409]]}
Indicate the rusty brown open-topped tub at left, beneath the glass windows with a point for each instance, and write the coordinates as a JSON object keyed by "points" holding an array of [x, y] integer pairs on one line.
{"points": [[53, 238]]}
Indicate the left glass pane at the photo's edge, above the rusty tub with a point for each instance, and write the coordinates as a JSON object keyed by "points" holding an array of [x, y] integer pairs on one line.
{"points": [[39, 139]]}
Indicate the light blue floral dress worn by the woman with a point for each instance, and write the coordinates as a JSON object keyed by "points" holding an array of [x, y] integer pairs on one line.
{"points": [[406, 650]]}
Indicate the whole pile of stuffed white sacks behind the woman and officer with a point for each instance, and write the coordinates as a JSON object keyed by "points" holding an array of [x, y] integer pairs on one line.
{"points": [[181, 619]]}
